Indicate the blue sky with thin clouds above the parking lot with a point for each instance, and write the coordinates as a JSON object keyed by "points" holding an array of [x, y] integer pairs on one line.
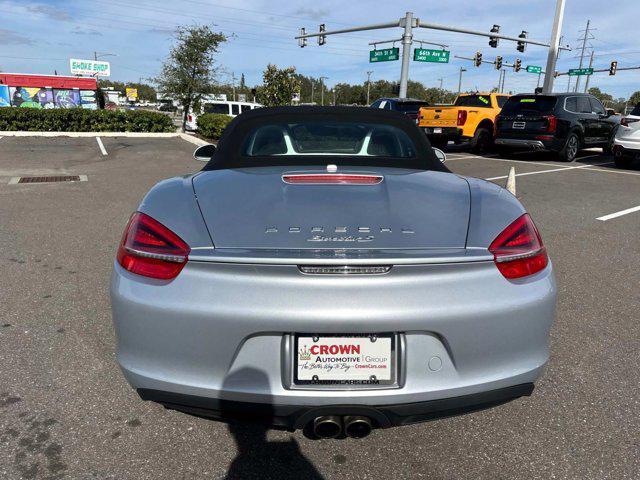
{"points": [[40, 37]]}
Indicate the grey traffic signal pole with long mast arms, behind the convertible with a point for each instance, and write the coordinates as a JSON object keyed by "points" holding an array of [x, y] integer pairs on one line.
{"points": [[408, 23]]}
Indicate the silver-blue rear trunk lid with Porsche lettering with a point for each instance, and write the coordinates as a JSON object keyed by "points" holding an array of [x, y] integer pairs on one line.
{"points": [[255, 209]]}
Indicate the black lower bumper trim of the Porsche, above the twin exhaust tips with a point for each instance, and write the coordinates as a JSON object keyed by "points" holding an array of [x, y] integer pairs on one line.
{"points": [[294, 417]]}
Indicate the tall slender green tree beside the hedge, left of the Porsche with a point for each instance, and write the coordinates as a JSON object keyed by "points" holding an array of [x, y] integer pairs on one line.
{"points": [[190, 71]]}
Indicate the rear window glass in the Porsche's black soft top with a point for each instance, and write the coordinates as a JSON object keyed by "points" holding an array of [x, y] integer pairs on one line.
{"points": [[330, 138]]}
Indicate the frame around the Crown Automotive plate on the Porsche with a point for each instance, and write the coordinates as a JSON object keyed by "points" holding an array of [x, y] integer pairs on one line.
{"points": [[334, 384]]}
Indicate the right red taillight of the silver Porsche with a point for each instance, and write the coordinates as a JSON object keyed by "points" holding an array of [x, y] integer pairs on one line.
{"points": [[518, 251]]}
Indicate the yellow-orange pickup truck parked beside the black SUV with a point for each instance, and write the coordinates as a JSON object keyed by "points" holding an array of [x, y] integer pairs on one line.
{"points": [[469, 119]]}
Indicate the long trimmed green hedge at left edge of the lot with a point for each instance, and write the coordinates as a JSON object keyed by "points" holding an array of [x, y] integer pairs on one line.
{"points": [[80, 120]]}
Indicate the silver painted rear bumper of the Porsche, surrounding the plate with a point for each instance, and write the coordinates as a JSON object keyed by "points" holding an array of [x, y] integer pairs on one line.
{"points": [[221, 331]]}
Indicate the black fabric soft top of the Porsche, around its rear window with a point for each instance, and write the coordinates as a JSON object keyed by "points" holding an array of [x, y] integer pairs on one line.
{"points": [[229, 154]]}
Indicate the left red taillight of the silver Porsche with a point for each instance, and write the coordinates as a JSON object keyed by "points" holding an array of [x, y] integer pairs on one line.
{"points": [[150, 249]]}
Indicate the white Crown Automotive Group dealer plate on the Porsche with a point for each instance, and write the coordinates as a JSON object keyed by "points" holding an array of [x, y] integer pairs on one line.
{"points": [[345, 360]]}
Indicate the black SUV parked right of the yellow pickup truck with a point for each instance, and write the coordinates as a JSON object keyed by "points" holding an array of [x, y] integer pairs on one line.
{"points": [[562, 123]]}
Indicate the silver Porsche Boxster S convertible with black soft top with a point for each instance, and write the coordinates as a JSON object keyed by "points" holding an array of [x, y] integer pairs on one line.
{"points": [[325, 271]]}
